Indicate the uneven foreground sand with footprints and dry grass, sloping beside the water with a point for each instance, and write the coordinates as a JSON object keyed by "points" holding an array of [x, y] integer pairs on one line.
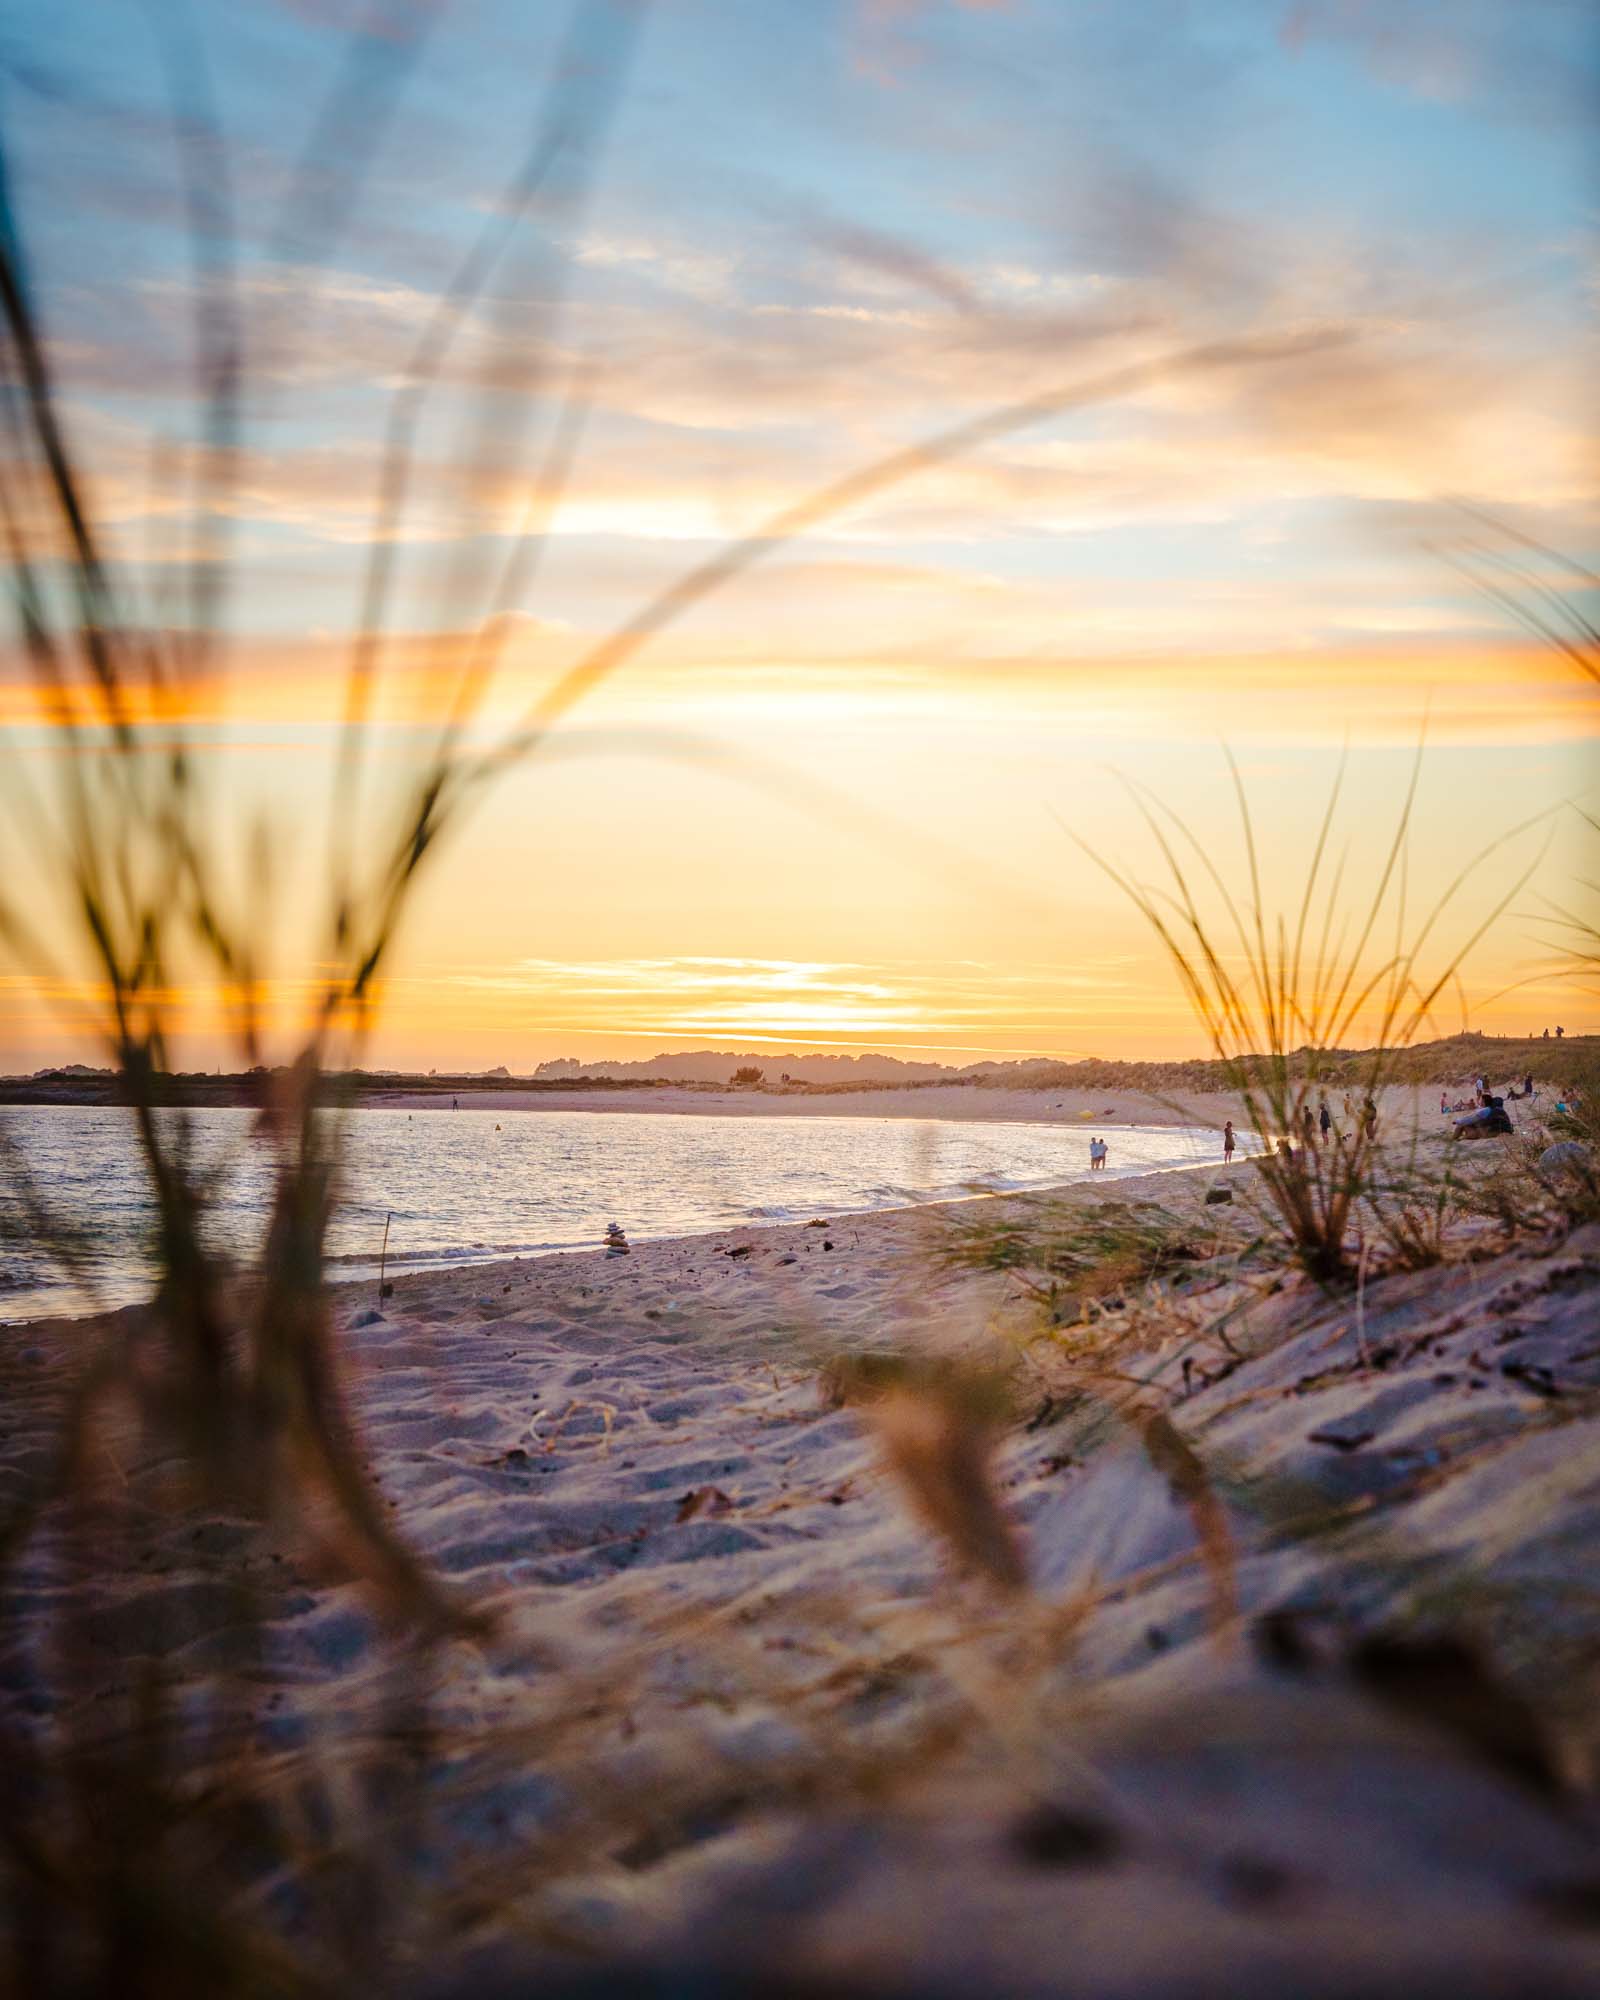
{"points": [[735, 1669]]}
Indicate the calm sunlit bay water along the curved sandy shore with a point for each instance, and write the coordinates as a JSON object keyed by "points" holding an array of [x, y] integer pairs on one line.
{"points": [[467, 1187]]}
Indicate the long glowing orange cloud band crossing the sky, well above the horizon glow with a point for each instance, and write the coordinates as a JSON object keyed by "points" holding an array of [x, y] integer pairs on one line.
{"points": [[1385, 691]]}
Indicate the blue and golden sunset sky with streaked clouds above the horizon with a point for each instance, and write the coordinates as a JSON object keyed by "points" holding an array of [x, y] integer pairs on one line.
{"points": [[1209, 353]]}
